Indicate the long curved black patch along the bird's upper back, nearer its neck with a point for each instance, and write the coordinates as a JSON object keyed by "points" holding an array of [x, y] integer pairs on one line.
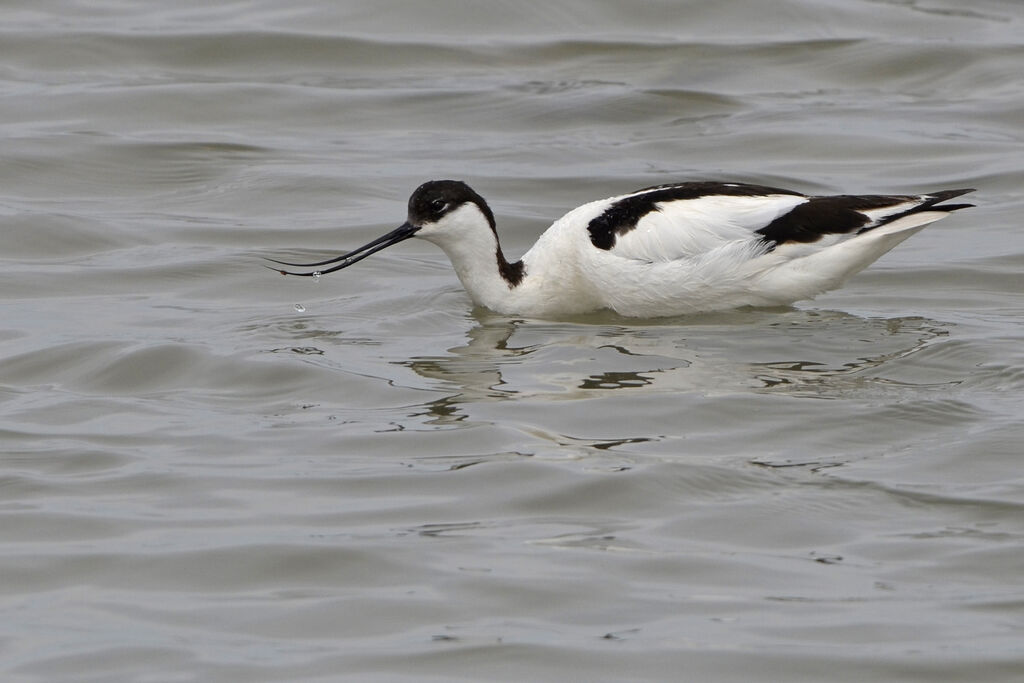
{"points": [[624, 216]]}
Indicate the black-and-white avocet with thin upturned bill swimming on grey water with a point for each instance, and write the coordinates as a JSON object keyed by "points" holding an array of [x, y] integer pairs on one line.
{"points": [[667, 250]]}
